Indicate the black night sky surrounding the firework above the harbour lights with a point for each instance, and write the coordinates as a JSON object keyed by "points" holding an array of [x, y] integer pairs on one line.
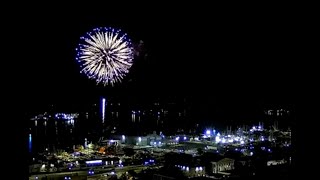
{"points": [[224, 62]]}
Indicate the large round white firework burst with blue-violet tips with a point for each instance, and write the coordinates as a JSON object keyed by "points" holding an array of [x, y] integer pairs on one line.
{"points": [[105, 54]]}
